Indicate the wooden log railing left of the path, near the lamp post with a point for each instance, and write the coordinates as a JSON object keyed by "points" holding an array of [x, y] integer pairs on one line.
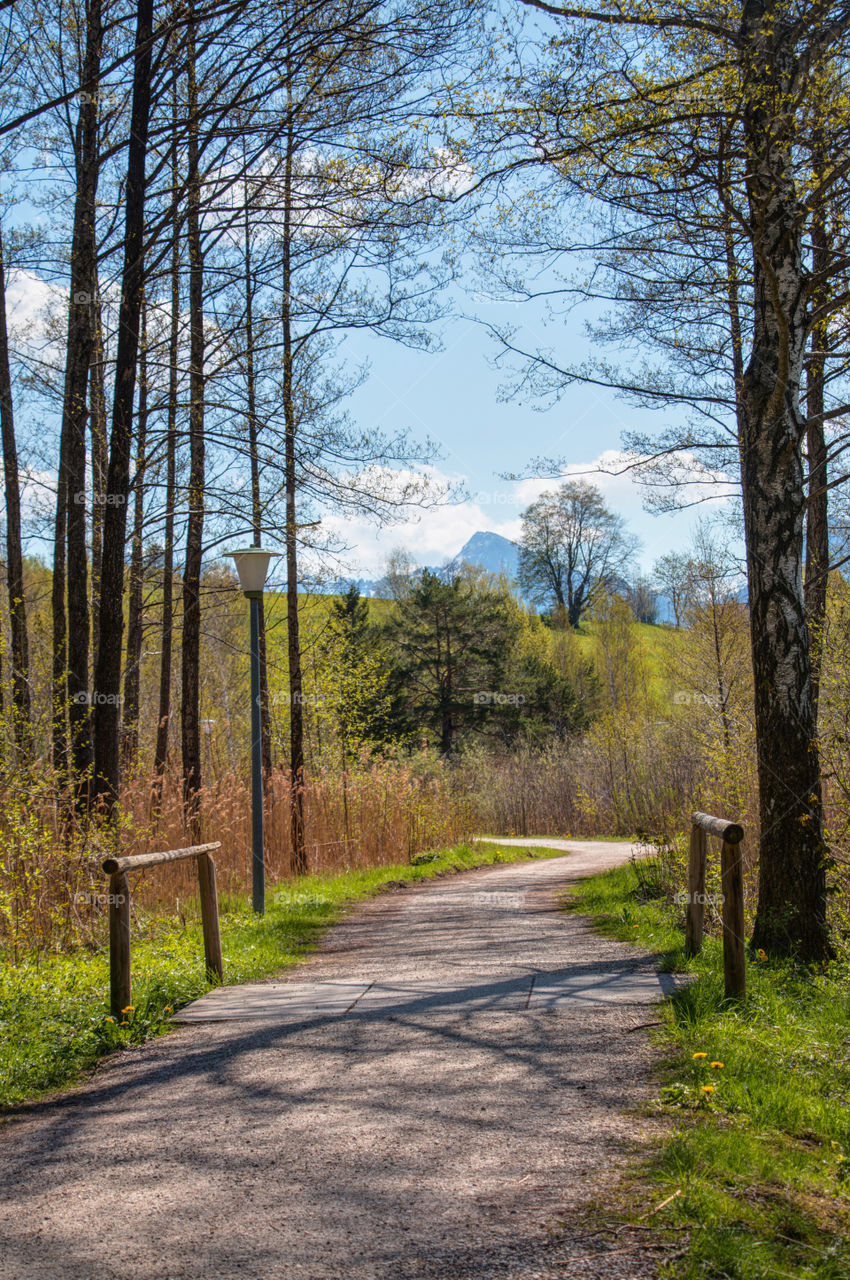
{"points": [[120, 959]]}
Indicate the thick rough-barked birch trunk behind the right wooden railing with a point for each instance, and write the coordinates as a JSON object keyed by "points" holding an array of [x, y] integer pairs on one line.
{"points": [[792, 904]]}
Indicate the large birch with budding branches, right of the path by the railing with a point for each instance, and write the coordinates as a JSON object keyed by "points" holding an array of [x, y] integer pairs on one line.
{"points": [[696, 134]]}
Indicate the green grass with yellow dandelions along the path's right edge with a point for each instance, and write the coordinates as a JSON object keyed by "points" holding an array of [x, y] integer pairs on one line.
{"points": [[761, 1150]]}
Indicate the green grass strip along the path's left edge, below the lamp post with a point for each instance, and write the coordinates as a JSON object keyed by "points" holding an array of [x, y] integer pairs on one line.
{"points": [[54, 1012]]}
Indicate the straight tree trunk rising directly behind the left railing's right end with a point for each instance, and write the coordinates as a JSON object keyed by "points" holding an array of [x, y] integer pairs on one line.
{"points": [[191, 644]]}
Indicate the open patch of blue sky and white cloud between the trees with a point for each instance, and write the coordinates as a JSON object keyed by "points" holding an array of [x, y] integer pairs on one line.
{"points": [[455, 397]]}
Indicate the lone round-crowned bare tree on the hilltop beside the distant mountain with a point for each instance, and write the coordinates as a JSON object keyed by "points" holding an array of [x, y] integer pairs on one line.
{"points": [[573, 548]]}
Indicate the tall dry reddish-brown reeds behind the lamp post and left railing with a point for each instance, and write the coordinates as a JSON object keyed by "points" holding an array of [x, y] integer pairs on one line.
{"points": [[53, 889]]}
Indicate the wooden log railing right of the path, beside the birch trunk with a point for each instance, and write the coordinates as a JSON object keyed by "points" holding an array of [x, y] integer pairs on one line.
{"points": [[733, 897]]}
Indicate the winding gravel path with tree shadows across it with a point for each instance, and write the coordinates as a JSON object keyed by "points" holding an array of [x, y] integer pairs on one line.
{"points": [[406, 1140]]}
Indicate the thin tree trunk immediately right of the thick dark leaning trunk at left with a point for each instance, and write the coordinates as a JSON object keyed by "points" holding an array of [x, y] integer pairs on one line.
{"points": [[135, 620]]}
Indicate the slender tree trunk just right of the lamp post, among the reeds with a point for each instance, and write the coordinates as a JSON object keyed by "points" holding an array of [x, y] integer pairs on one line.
{"points": [[294, 639]]}
